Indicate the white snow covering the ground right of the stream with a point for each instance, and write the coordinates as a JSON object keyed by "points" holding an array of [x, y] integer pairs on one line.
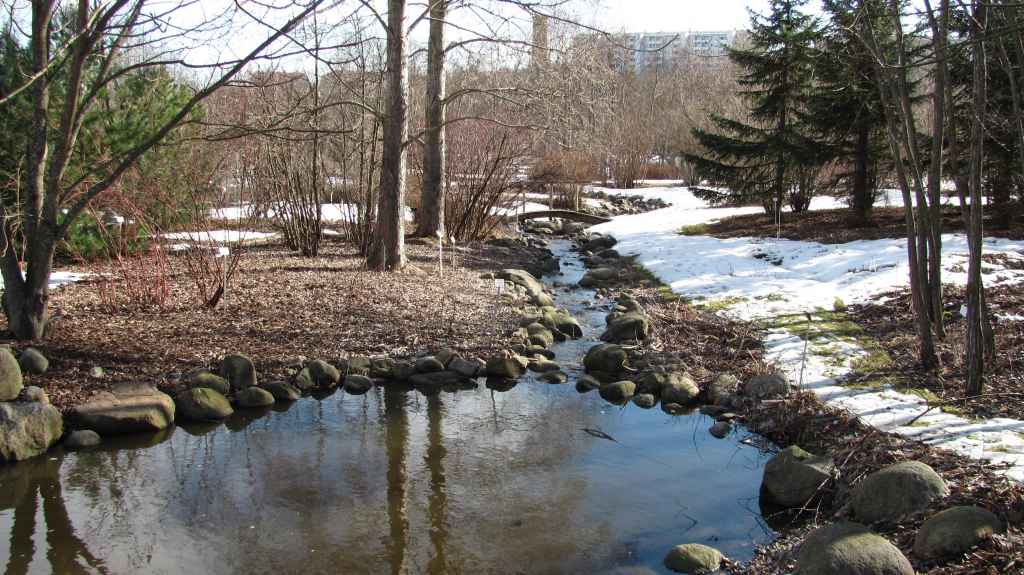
{"points": [[763, 279]]}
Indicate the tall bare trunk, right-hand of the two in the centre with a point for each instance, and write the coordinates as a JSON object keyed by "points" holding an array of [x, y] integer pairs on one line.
{"points": [[432, 214]]}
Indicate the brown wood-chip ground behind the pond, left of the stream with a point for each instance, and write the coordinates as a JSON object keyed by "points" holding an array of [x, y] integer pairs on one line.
{"points": [[281, 307]]}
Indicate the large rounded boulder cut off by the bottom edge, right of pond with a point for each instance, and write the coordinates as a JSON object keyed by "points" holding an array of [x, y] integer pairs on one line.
{"points": [[849, 549]]}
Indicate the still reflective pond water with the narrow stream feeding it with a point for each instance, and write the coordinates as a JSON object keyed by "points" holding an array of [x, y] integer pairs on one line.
{"points": [[396, 482]]}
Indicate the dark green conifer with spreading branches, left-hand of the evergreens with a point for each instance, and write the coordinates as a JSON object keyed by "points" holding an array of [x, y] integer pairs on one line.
{"points": [[771, 159]]}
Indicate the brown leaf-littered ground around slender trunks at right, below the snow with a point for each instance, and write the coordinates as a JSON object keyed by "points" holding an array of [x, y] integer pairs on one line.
{"points": [[892, 326]]}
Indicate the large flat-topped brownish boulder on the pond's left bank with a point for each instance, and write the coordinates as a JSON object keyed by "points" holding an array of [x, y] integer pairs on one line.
{"points": [[126, 409]]}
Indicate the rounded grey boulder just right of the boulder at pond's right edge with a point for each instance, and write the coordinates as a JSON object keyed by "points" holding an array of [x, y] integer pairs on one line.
{"points": [[897, 492]]}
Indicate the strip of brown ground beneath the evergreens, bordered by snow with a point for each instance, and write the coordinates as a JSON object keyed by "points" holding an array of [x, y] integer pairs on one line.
{"points": [[833, 227]]}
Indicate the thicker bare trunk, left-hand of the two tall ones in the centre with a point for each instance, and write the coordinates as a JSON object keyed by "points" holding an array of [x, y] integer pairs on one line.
{"points": [[389, 251]]}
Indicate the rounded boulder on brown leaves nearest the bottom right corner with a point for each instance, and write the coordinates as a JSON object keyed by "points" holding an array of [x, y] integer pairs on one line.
{"points": [[955, 532]]}
